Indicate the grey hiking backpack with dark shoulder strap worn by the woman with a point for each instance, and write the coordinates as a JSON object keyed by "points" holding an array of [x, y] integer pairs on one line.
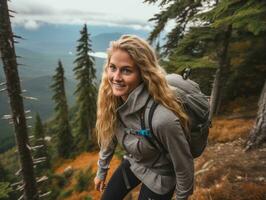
{"points": [[197, 108]]}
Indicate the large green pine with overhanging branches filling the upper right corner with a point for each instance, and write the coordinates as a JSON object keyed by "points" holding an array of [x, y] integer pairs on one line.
{"points": [[207, 45]]}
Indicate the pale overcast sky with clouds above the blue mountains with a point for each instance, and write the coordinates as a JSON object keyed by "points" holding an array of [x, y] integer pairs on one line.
{"points": [[131, 13]]}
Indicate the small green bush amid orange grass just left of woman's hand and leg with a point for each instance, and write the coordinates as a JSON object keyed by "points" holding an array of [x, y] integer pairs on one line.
{"points": [[84, 179]]}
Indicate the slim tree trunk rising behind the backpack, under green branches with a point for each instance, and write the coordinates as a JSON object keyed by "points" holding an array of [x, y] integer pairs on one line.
{"points": [[216, 94]]}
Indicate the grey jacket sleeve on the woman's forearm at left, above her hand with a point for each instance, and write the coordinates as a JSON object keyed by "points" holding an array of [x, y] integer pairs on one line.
{"points": [[105, 157]]}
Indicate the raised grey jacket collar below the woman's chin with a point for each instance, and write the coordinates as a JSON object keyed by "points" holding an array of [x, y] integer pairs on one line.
{"points": [[135, 101]]}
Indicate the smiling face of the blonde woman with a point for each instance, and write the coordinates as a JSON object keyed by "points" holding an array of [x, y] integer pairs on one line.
{"points": [[123, 74]]}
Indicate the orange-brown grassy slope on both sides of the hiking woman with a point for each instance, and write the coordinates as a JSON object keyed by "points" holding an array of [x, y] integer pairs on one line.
{"points": [[224, 171]]}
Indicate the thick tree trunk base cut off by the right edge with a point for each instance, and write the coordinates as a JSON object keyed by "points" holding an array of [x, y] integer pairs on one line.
{"points": [[258, 133]]}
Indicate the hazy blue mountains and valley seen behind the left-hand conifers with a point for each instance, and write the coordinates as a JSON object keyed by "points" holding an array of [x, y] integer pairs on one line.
{"points": [[40, 53]]}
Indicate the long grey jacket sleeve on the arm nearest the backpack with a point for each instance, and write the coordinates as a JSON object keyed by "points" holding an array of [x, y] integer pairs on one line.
{"points": [[173, 138]]}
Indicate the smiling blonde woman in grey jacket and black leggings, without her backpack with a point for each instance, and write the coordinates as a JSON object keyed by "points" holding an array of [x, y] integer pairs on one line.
{"points": [[132, 80]]}
